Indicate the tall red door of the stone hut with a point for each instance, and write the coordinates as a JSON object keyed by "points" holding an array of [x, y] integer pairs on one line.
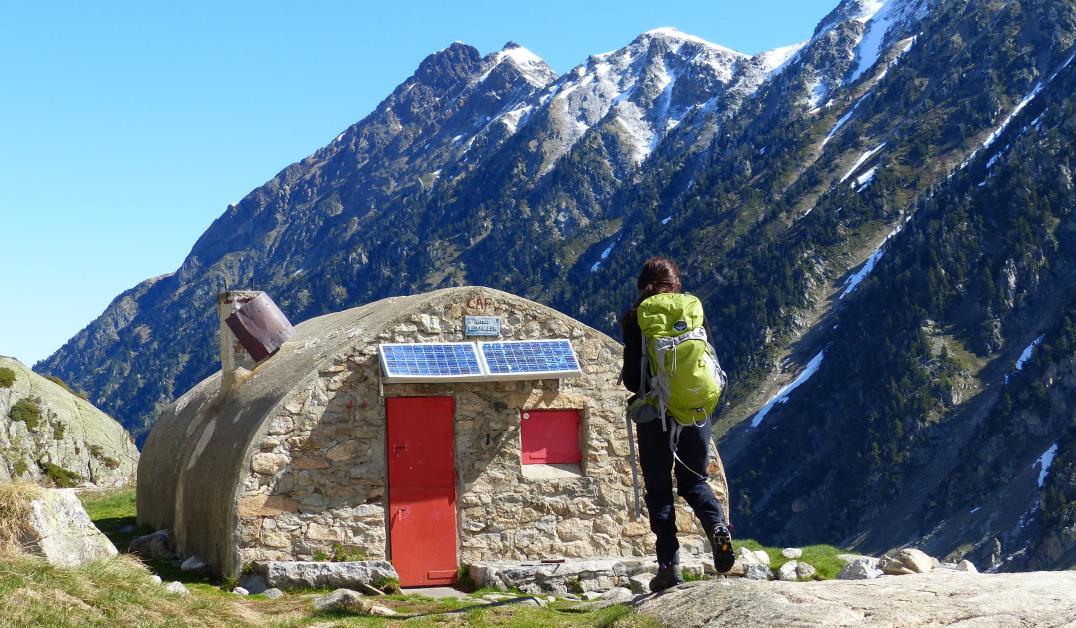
{"points": [[422, 490]]}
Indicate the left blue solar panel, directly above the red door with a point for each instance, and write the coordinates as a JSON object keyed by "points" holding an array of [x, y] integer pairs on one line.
{"points": [[434, 362]]}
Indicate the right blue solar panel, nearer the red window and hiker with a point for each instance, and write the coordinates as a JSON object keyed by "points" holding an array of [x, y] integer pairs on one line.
{"points": [[530, 360]]}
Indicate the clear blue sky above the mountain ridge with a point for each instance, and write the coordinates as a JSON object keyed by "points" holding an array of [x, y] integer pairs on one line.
{"points": [[128, 127]]}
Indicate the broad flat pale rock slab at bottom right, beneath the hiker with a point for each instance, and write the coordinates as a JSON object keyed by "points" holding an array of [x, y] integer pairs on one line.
{"points": [[940, 598]]}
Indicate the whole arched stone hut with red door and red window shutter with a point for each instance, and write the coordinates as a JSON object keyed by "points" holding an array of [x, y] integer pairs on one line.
{"points": [[295, 459]]}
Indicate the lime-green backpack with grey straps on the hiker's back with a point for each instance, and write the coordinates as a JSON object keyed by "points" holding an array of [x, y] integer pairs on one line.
{"points": [[684, 380]]}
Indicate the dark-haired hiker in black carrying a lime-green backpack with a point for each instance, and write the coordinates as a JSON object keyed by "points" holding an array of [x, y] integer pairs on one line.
{"points": [[673, 370]]}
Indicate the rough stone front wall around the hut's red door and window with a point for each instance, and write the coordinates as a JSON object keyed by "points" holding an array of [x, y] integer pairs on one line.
{"points": [[319, 478]]}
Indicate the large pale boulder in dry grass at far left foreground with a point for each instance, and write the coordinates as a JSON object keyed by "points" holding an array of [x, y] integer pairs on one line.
{"points": [[60, 531]]}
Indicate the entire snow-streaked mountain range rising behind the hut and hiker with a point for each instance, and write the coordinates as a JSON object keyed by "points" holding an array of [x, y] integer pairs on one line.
{"points": [[868, 295]]}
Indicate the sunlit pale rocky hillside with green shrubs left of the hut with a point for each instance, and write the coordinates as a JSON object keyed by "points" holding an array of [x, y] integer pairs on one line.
{"points": [[50, 435]]}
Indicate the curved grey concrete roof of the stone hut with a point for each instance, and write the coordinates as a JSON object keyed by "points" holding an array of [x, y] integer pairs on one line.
{"points": [[193, 464]]}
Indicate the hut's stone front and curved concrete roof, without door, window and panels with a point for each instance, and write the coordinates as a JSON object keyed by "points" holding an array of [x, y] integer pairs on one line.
{"points": [[292, 462]]}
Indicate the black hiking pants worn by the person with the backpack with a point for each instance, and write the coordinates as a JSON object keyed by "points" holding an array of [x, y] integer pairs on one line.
{"points": [[656, 459]]}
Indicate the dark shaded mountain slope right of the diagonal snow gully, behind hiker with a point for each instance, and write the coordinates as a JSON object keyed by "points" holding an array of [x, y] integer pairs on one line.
{"points": [[930, 407]]}
